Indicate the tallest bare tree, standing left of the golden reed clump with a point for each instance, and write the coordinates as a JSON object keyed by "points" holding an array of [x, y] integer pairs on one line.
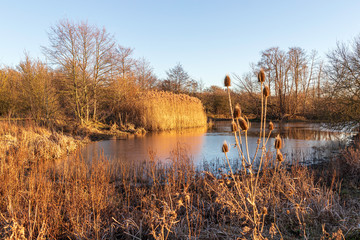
{"points": [[83, 52]]}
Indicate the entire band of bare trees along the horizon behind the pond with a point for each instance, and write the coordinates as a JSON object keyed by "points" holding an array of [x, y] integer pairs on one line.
{"points": [[90, 77]]}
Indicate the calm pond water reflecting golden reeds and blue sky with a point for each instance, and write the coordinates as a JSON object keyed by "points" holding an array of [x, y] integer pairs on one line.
{"points": [[303, 142]]}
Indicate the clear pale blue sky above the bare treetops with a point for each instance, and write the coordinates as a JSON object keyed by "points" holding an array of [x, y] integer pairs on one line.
{"points": [[209, 38]]}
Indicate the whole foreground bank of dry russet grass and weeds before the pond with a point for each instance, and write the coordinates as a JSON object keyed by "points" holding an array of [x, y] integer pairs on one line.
{"points": [[42, 198]]}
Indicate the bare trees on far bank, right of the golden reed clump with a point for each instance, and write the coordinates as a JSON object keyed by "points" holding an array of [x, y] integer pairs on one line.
{"points": [[302, 85]]}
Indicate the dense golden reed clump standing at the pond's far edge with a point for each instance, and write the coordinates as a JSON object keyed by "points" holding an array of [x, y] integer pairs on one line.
{"points": [[158, 110]]}
